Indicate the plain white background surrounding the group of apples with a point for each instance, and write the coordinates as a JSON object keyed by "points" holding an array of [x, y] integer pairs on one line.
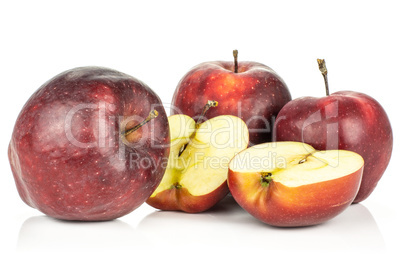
{"points": [[158, 42]]}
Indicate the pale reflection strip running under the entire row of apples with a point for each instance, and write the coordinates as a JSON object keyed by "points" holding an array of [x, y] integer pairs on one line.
{"points": [[227, 223]]}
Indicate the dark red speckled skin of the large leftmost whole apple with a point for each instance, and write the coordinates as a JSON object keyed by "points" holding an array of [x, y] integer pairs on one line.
{"points": [[69, 181]]}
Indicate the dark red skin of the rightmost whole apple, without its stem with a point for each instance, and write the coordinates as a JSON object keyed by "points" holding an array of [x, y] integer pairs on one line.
{"points": [[354, 121]]}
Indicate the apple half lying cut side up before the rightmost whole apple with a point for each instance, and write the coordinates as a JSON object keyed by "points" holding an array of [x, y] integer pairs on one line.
{"points": [[292, 184]]}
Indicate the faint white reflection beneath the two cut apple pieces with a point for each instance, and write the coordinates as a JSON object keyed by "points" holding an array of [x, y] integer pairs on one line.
{"points": [[229, 224]]}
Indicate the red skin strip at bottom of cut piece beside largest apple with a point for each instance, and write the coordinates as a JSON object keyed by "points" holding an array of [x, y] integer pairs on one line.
{"points": [[182, 200]]}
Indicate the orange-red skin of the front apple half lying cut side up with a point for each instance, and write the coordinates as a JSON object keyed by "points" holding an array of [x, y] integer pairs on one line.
{"points": [[282, 206]]}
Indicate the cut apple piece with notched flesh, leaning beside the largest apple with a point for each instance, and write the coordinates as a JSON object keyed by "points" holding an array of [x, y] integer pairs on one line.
{"points": [[196, 175]]}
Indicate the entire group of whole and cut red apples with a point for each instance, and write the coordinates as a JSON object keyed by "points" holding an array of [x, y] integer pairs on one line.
{"points": [[93, 144]]}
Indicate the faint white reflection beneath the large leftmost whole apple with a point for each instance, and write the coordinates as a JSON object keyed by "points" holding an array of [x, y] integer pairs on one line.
{"points": [[43, 233]]}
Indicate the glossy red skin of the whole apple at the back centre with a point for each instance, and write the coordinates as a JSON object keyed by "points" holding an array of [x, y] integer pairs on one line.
{"points": [[255, 94]]}
